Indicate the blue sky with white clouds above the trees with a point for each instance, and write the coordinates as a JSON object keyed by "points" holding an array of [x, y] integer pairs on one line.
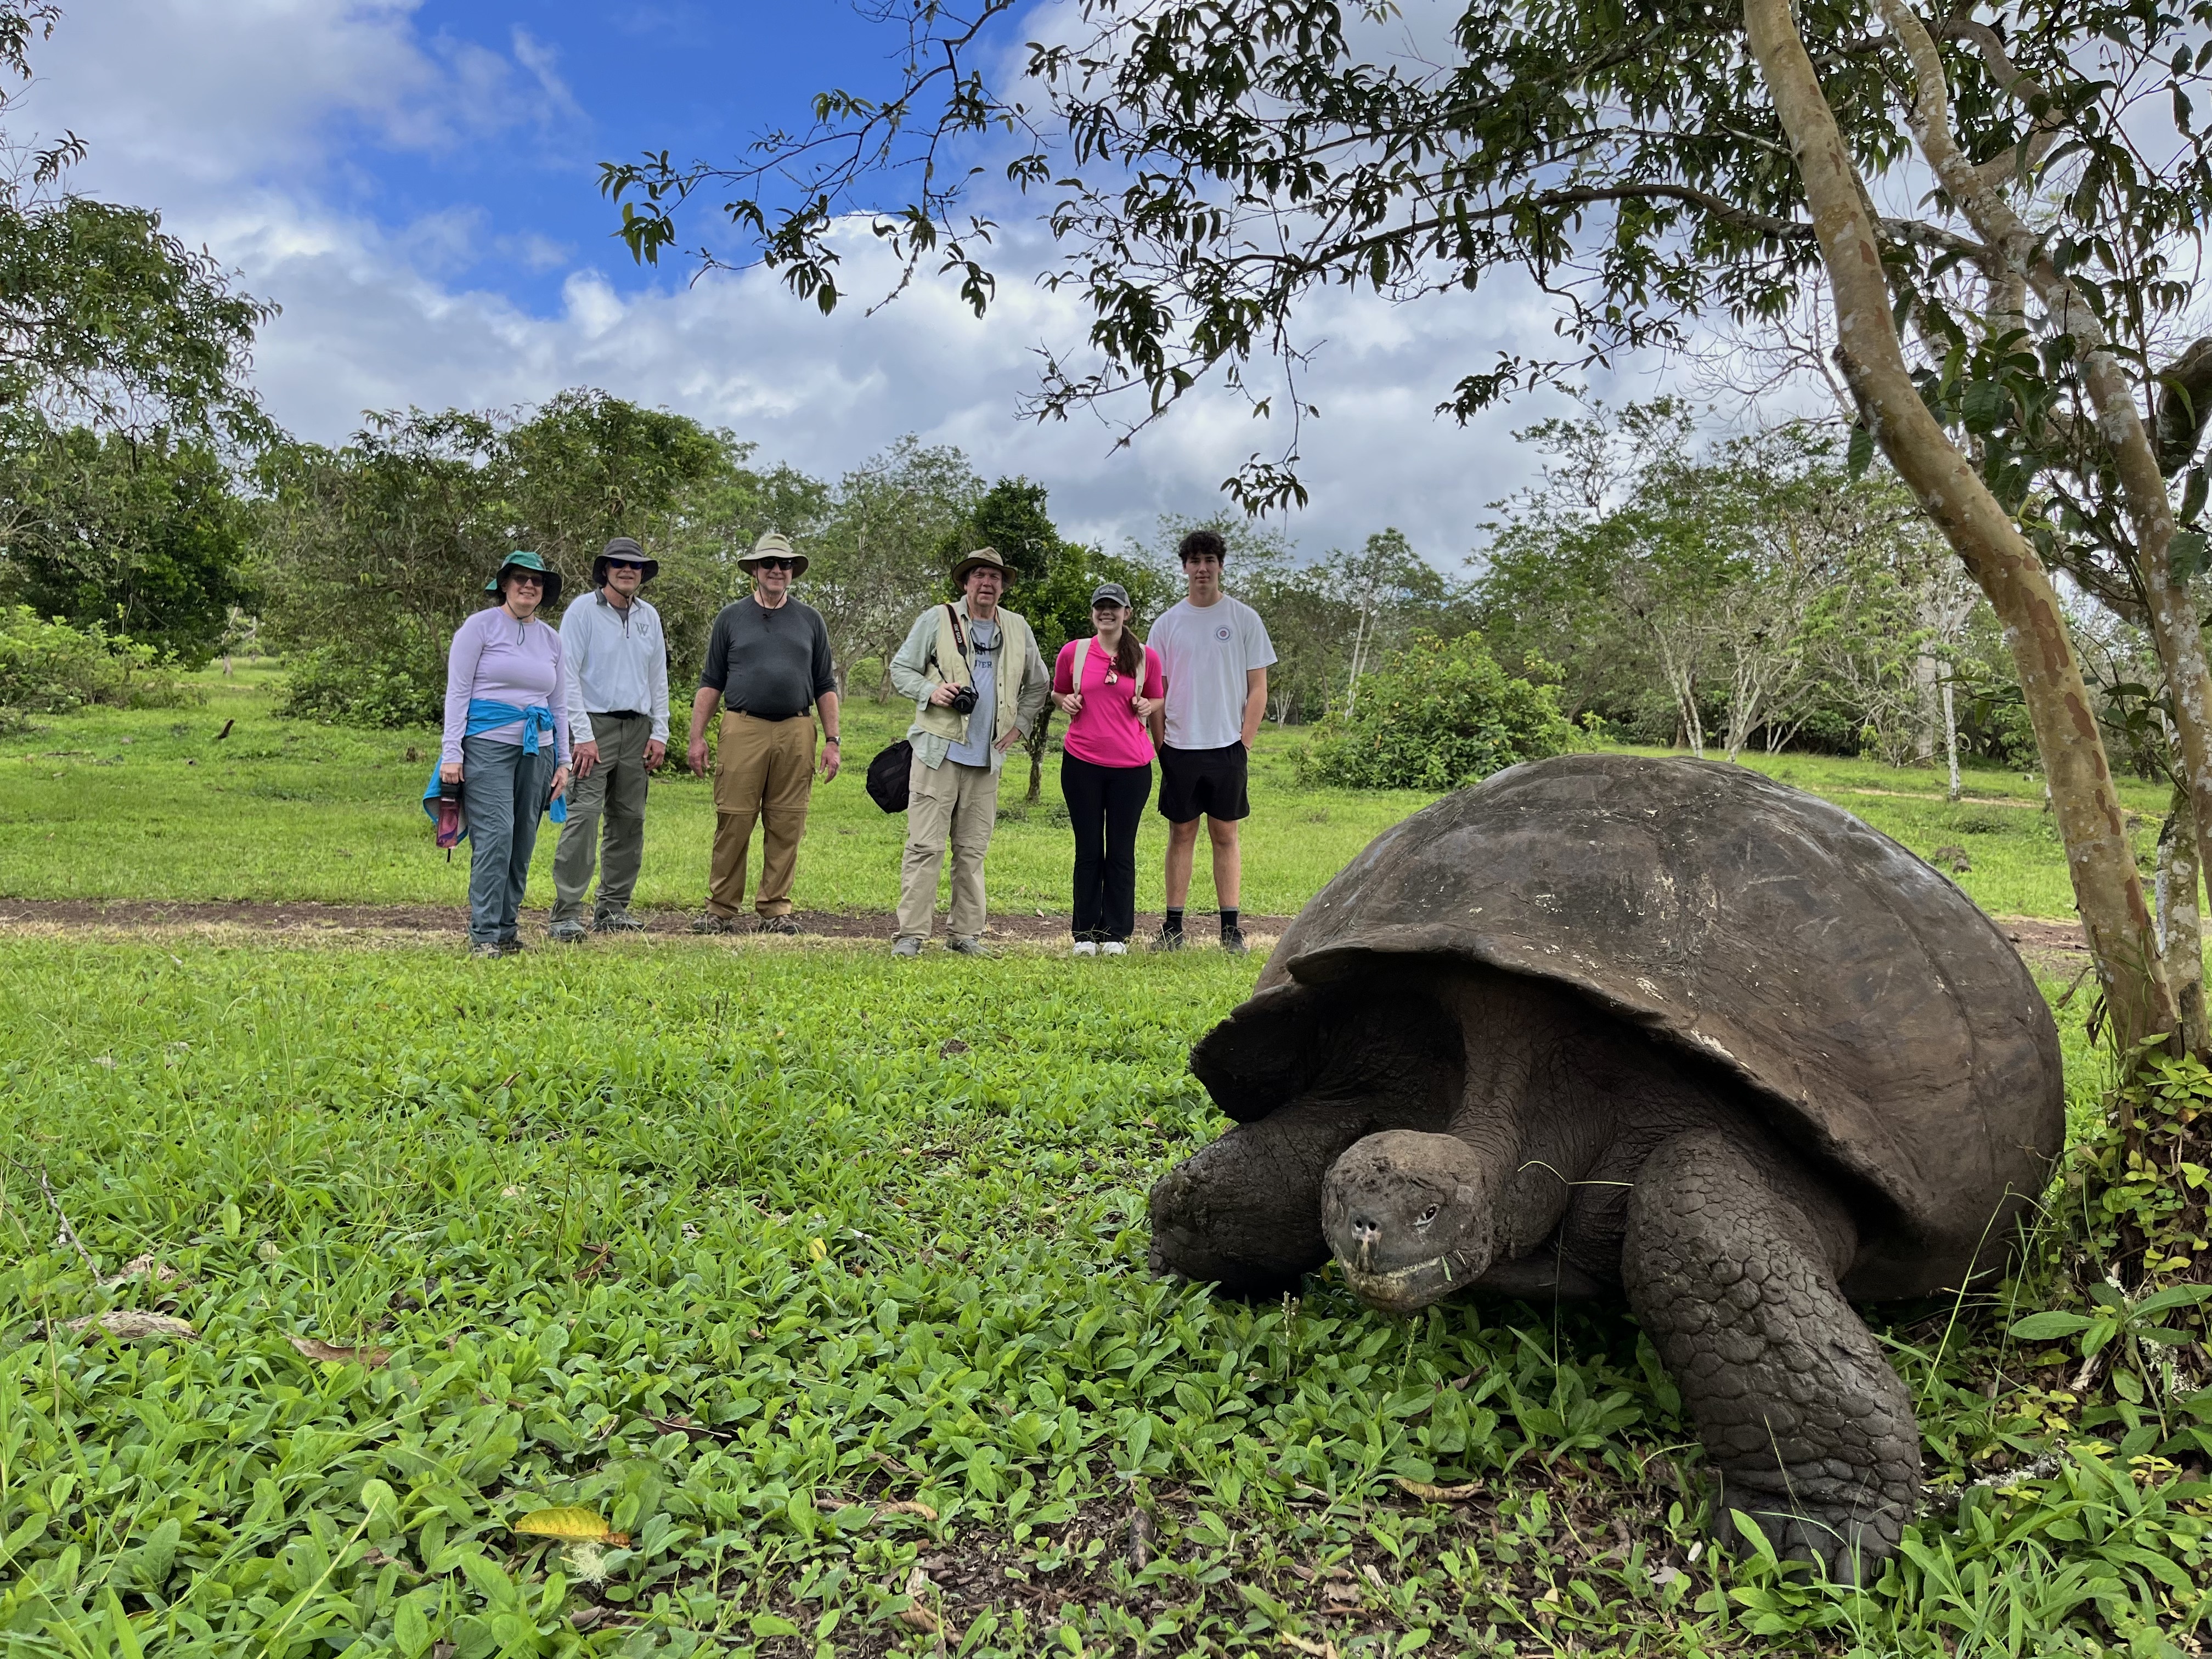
{"points": [[417, 187]]}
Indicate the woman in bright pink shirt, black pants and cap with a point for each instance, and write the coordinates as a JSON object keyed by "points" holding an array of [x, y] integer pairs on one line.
{"points": [[1109, 689]]}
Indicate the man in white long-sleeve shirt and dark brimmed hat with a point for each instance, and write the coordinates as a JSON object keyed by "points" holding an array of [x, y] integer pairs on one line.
{"points": [[618, 729]]}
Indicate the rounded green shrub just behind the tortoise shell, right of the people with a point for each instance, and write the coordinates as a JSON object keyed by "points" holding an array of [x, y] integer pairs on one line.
{"points": [[1437, 716]]}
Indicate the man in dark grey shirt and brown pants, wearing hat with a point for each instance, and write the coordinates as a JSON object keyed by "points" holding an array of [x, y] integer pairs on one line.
{"points": [[769, 667]]}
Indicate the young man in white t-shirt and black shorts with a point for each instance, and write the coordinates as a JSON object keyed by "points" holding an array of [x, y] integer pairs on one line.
{"points": [[1213, 654]]}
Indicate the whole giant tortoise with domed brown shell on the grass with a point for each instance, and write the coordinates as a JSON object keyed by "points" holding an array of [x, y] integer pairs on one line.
{"points": [[1653, 1027]]}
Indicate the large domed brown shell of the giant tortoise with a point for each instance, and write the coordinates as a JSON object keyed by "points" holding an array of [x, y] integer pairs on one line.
{"points": [[1859, 999]]}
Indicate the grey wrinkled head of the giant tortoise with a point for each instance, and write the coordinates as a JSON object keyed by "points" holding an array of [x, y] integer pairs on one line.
{"points": [[1408, 1218]]}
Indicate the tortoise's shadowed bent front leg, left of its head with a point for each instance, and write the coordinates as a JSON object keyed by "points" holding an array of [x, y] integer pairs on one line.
{"points": [[1246, 1211]]}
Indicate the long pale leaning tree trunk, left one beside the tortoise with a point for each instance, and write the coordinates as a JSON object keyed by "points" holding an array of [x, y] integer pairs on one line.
{"points": [[1981, 532]]}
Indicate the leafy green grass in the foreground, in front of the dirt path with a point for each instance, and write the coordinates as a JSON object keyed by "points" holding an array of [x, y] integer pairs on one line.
{"points": [[735, 1246]]}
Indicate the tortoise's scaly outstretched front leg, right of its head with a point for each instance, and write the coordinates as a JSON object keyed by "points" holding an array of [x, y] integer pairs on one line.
{"points": [[1731, 1264]]}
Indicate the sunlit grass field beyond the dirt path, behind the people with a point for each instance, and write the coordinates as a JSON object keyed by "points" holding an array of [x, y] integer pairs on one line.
{"points": [[152, 806]]}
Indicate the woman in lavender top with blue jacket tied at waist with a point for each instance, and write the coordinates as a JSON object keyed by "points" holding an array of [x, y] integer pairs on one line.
{"points": [[508, 738]]}
